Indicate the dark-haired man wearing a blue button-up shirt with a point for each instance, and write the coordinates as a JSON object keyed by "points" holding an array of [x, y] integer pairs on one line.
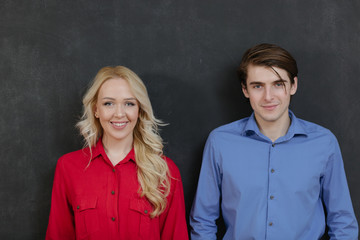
{"points": [[273, 175]]}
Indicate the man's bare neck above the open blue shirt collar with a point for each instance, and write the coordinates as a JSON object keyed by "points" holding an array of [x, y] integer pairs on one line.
{"points": [[275, 129]]}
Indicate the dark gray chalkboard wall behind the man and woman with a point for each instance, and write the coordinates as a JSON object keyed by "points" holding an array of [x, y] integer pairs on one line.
{"points": [[186, 52]]}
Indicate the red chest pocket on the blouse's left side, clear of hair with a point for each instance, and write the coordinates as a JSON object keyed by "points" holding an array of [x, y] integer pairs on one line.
{"points": [[86, 216]]}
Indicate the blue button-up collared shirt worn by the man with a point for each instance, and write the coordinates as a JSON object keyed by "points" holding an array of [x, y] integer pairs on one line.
{"points": [[272, 190]]}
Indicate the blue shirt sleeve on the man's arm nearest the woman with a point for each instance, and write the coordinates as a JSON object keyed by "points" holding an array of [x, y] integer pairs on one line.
{"points": [[205, 209]]}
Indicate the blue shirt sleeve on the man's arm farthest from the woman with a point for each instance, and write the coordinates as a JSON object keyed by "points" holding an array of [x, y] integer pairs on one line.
{"points": [[341, 219]]}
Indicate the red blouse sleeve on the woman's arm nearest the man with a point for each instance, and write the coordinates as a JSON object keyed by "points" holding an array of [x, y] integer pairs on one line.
{"points": [[173, 221]]}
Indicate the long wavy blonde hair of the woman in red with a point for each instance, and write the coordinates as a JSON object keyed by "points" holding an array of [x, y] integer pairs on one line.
{"points": [[152, 169]]}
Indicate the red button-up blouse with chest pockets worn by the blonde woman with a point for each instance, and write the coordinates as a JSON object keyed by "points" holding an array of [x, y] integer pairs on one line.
{"points": [[102, 201]]}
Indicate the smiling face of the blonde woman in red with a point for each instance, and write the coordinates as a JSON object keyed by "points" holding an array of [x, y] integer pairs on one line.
{"points": [[117, 110]]}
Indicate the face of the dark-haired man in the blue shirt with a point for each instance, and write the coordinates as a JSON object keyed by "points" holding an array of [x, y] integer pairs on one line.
{"points": [[268, 94]]}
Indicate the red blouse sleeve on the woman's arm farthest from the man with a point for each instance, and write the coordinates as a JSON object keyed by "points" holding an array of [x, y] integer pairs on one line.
{"points": [[61, 220]]}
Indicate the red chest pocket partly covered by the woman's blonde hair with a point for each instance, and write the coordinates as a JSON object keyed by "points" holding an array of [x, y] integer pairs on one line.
{"points": [[140, 216]]}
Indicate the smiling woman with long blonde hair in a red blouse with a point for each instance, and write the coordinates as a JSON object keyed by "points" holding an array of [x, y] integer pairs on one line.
{"points": [[120, 186]]}
